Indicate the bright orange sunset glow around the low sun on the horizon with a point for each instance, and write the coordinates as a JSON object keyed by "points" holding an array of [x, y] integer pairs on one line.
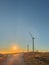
{"points": [[13, 49]]}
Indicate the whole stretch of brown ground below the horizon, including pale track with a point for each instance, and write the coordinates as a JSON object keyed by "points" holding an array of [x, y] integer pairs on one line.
{"points": [[28, 58]]}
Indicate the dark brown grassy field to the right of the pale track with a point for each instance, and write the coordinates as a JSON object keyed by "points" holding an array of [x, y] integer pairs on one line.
{"points": [[36, 58]]}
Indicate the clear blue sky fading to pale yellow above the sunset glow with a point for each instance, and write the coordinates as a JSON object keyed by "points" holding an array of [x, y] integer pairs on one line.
{"points": [[18, 18]]}
